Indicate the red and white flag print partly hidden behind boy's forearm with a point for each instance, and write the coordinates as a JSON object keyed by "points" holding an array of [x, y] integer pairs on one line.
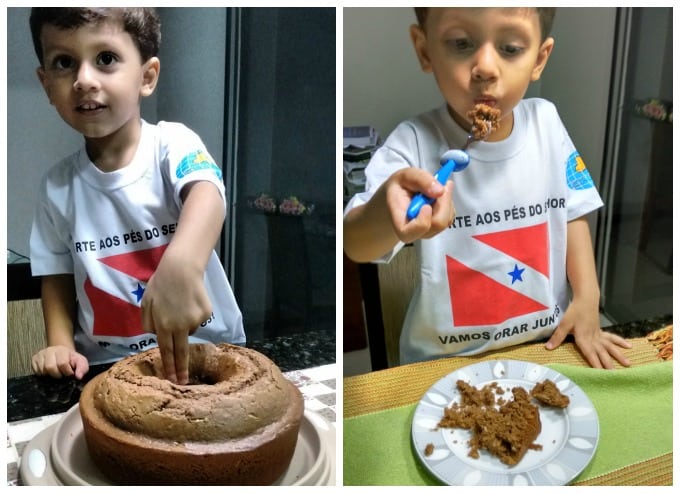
{"points": [[117, 311]]}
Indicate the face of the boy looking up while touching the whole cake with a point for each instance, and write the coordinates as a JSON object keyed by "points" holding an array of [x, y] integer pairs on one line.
{"points": [[94, 77]]}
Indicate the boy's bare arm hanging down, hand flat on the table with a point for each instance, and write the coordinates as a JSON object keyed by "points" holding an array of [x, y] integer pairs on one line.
{"points": [[582, 316]]}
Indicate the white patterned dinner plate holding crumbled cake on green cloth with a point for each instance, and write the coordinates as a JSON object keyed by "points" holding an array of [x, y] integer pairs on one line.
{"points": [[569, 436]]}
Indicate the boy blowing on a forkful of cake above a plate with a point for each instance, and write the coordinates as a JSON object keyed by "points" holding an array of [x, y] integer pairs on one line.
{"points": [[499, 275]]}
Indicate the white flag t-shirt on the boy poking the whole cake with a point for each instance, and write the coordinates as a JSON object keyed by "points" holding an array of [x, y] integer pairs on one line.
{"points": [[110, 230]]}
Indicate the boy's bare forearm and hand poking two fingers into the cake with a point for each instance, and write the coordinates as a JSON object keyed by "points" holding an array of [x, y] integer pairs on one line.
{"points": [[176, 301]]}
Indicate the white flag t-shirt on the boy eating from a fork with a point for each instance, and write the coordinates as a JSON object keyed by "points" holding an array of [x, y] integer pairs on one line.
{"points": [[498, 277]]}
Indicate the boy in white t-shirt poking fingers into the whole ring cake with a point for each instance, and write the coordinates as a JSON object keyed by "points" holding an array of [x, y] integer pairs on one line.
{"points": [[124, 231]]}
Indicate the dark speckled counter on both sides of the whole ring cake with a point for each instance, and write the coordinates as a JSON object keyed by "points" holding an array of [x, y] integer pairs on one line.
{"points": [[35, 396]]}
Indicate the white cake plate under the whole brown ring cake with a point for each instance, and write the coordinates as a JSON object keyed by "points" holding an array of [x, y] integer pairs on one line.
{"points": [[58, 455]]}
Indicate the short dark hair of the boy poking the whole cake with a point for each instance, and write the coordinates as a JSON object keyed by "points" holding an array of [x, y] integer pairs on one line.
{"points": [[142, 24]]}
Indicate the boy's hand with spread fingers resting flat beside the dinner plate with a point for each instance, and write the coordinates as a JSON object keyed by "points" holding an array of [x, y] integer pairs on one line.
{"points": [[597, 346]]}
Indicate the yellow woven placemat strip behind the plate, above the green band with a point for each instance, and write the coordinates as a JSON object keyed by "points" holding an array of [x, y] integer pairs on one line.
{"points": [[385, 389]]}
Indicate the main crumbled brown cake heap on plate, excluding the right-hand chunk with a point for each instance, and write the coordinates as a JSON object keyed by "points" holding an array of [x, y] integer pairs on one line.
{"points": [[507, 429]]}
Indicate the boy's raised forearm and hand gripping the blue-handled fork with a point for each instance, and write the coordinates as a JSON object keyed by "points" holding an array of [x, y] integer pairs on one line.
{"points": [[373, 229]]}
